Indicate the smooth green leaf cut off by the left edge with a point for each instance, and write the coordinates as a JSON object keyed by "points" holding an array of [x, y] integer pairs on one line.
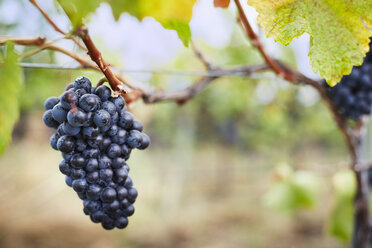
{"points": [[10, 74]]}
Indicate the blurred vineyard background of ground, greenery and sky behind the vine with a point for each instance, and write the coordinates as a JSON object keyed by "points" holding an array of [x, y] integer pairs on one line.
{"points": [[206, 179]]}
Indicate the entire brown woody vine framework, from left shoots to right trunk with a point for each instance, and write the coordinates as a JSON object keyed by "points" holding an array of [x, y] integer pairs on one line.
{"points": [[134, 91]]}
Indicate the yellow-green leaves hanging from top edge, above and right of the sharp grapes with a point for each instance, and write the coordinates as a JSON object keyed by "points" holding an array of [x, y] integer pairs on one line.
{"points": [[173, 15]]}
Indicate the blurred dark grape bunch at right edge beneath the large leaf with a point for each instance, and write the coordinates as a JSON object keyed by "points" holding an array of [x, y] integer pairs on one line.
{"points": [[353, 95]]}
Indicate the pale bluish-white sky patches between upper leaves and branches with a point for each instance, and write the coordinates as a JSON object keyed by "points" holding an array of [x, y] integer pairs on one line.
{"points": [[146, 44]]}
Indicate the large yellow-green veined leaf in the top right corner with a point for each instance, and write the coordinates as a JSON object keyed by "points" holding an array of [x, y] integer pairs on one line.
{"points": [[339, 36]]}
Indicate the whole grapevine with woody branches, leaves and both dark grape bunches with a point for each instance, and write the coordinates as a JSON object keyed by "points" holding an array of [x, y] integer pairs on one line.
{"points": [[95, 132]]}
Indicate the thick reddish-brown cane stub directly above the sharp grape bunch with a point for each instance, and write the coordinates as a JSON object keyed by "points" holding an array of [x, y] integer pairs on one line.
{"points": [[96, 56]]}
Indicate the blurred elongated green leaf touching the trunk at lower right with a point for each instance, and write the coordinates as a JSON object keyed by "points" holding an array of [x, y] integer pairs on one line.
{"points": [[341, 219]]}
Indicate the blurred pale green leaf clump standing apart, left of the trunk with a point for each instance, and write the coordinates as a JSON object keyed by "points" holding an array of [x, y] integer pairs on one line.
{"points": [[292, 191]]}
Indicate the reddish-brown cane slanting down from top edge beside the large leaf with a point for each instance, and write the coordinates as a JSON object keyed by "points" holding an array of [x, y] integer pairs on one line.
{"points": [[256, 43]]}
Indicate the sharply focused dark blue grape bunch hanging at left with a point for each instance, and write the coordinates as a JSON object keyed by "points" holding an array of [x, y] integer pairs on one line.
{"points": [[96, 134]]}
